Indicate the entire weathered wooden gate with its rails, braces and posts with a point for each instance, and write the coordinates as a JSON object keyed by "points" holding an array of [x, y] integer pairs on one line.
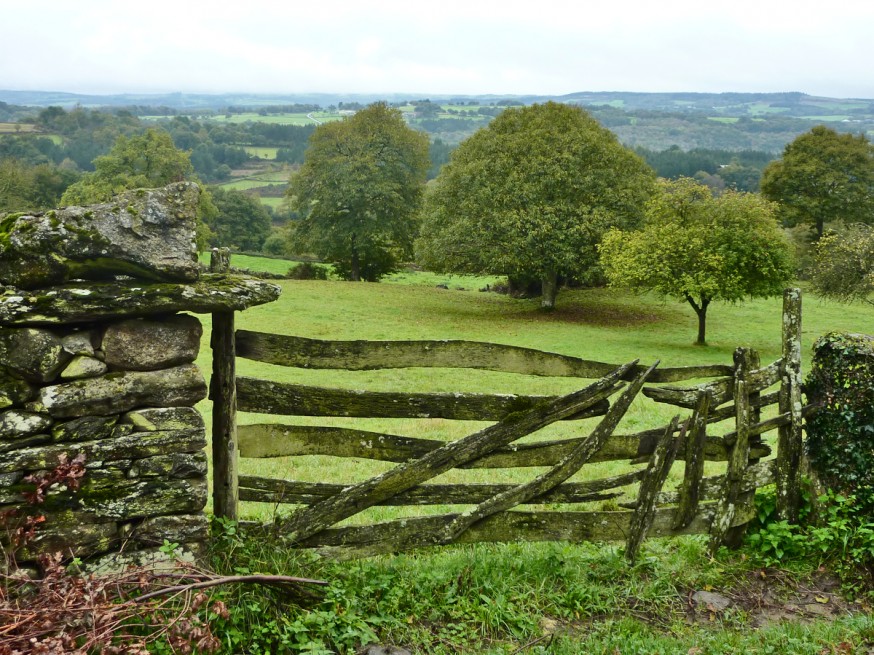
{"points": [[718, 505]]}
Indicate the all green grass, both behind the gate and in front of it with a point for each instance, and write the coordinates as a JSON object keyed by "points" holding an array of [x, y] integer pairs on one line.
{"points": [[539, 599]]}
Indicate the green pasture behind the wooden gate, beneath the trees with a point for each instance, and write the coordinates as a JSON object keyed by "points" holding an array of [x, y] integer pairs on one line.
{"points": [[601, 324]]}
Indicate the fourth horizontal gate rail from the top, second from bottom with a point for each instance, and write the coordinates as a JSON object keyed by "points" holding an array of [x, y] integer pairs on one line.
{"points": [[269, 490]]}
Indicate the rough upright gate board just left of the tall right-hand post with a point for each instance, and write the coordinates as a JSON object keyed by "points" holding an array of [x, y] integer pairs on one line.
{"points": [[739, 459]]}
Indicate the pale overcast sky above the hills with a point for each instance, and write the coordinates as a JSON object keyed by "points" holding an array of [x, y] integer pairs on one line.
{"points": [[442, 46]]}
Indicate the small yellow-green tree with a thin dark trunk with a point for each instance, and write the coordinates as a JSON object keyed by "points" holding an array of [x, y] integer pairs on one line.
{"points": [[699, 248]]}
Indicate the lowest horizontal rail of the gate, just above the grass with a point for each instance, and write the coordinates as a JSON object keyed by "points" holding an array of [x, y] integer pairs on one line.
{"points": [[576, 527]]}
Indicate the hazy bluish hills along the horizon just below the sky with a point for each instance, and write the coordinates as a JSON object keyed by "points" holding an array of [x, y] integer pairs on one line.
{"points": [[657, 121]]}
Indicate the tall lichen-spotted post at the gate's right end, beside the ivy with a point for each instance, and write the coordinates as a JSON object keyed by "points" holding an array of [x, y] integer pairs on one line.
{"points": [[789, 440]]}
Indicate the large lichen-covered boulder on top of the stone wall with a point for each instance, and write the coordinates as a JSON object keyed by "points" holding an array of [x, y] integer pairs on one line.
{"points": [[146, 233]]}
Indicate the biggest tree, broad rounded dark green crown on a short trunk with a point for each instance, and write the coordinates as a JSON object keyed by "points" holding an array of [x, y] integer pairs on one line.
{"points": [[530, 196]]}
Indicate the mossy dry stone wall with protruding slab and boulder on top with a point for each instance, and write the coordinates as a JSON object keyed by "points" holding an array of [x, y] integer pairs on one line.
{"points": [[97, 378]]}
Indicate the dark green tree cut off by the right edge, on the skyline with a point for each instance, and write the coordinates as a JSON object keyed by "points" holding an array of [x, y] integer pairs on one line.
{"points": [[823, 176]]}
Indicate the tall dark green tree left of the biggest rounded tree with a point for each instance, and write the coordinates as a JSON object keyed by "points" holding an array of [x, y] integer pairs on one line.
{"points": [[359, 192]]}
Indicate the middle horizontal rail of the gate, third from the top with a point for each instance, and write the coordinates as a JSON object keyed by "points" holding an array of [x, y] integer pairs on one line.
{"points": [[277, 440]]}
